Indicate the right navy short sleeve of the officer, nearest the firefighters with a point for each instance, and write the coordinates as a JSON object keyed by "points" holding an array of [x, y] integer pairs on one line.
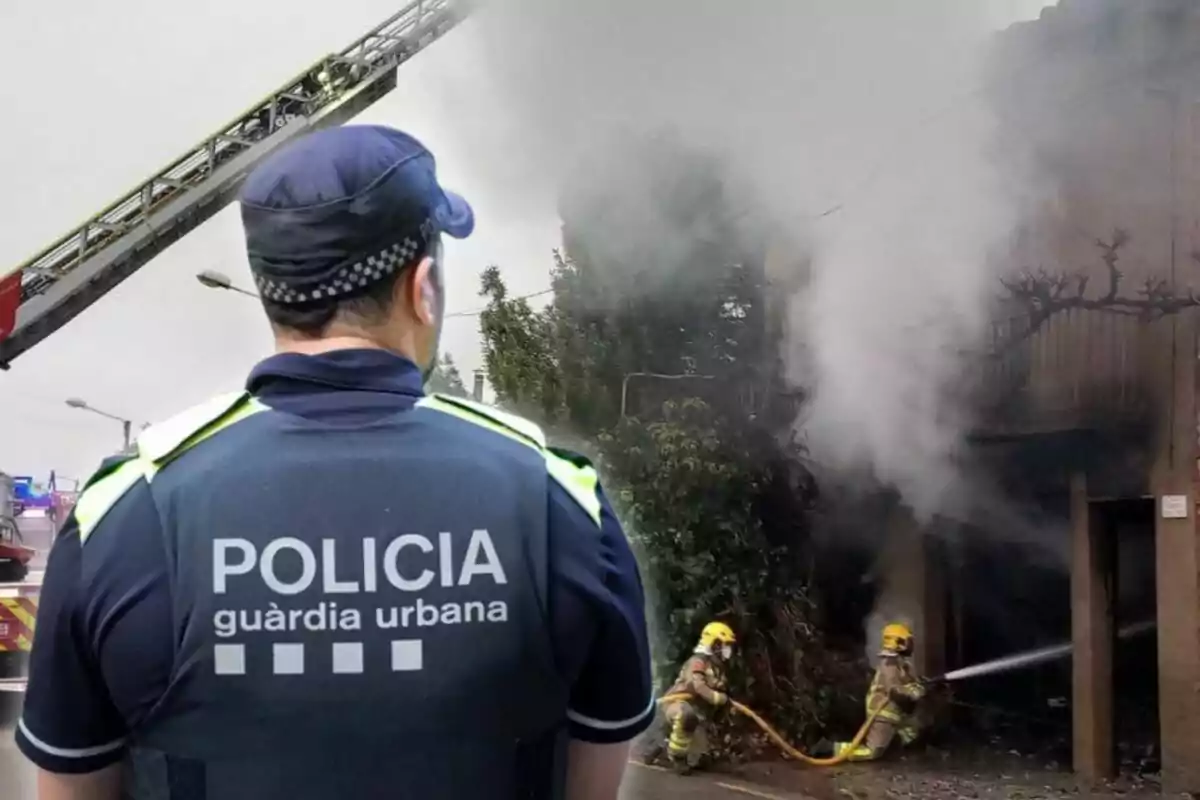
{"points": [[598, 609]]}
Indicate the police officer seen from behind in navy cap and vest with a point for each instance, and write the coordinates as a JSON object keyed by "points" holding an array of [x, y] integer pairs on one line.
{"points": [[331, 585]]}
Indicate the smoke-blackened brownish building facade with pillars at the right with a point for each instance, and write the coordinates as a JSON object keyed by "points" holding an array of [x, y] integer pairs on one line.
{"points": [[1094, 408]]}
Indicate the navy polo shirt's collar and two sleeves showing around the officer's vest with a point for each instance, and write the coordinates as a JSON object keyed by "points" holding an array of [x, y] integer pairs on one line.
{"points": [[104, 651]]}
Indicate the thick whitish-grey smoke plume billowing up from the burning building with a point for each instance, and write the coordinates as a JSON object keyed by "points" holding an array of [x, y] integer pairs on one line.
{"points": [[860, 129]]}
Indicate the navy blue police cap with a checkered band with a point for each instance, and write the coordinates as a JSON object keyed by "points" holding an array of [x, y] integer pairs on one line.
{"points": [[340, 209]]}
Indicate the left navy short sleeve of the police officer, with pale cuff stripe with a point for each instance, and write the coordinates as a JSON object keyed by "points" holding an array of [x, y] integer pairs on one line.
{"points": [[103, 645]]}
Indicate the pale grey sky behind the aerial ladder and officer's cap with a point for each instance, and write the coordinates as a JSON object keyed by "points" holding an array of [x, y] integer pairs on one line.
{"points": [[124, 88]]}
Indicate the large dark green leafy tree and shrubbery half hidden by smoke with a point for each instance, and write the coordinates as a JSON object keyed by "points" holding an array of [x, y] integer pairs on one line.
{"points": [[694, 467]]}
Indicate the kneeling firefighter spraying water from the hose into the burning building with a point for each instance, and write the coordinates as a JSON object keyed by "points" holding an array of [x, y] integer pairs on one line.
{"points": [[898, 690]]}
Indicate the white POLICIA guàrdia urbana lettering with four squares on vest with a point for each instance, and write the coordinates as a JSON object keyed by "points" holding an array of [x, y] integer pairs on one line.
{"points": [[407, 566]]}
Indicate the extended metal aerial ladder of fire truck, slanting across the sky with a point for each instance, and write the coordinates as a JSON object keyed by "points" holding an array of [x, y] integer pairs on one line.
{"points": [[49, 291]]}
